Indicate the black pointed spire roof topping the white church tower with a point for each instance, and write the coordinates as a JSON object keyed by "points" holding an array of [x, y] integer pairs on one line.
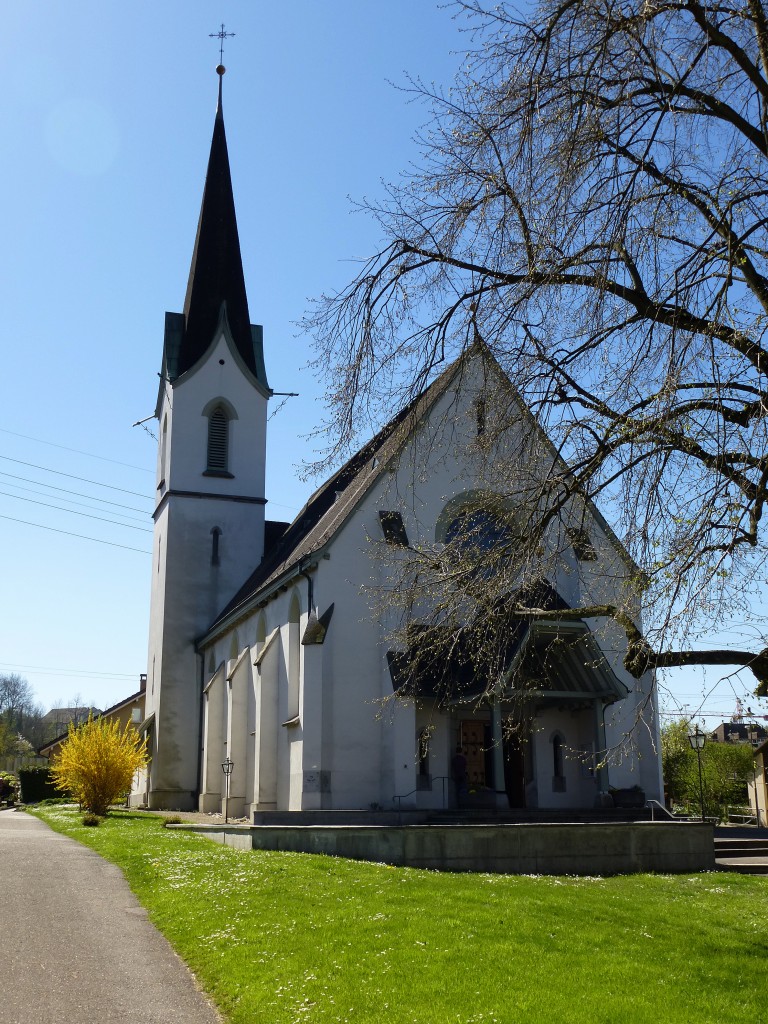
{"points": [[217, 272]]}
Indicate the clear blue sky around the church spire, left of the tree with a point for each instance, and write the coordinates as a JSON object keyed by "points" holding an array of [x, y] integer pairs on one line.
{"points": [[107, 123]]}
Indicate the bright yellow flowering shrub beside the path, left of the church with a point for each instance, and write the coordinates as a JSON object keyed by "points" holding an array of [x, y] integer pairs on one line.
{"points": [[98, 762]]}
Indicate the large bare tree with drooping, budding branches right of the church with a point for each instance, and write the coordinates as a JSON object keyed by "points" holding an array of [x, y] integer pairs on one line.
{"points": [[591, 208]]}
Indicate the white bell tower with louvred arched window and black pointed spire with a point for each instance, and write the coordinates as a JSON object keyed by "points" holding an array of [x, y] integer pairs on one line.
{"points": [[209, 518]]}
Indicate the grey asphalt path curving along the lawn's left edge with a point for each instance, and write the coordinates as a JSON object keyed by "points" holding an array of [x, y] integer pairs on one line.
{"points": [[76, 948]]}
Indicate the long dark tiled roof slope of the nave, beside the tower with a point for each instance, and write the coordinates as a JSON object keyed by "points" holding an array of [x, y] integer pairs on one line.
{"points": [[335, 500]]}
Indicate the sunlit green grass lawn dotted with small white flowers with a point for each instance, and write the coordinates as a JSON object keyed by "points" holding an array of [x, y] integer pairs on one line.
{"points": [[284, 937]]}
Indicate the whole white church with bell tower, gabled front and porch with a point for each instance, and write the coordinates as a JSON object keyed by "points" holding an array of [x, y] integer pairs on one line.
{"points": [[265, 648]]}
